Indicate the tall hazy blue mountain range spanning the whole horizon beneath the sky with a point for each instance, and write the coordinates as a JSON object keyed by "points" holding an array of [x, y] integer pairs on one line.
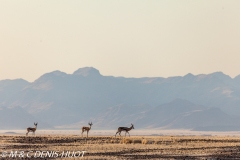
{"points": [[70, 100]]}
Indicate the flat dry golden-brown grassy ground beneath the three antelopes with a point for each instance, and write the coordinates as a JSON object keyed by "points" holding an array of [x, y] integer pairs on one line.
{"points": [[106, 147]]}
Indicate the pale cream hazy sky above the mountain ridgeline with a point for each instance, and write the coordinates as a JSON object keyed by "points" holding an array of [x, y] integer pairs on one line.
{"points": [[130, 38]]}
